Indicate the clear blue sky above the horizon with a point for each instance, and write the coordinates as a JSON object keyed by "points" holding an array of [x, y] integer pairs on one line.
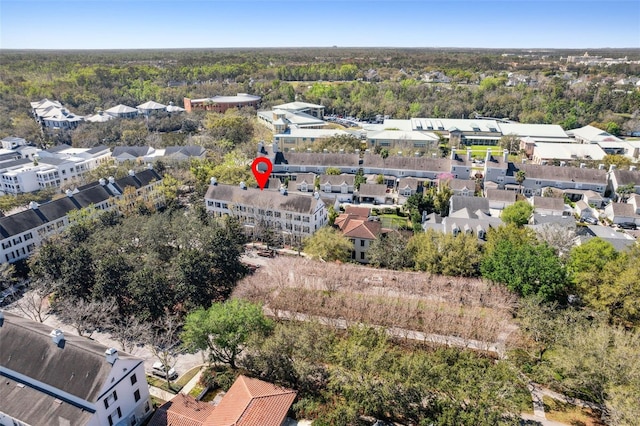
{"points": [[124, 24]]}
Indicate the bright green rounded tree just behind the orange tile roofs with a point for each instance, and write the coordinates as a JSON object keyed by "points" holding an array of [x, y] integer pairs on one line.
{"points": [[224, 329]]}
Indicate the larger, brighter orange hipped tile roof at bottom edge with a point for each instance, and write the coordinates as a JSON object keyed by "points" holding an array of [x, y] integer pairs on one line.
{"points": [[252, 402]]}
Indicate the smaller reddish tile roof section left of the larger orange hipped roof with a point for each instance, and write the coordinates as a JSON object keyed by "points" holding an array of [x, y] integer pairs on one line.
{"points": [[182, 410]]}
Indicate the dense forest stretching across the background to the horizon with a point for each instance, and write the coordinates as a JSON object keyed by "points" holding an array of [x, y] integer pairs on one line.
{"points": [[353, 82]]}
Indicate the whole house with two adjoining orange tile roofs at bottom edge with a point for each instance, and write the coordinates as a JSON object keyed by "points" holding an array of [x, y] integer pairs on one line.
{"points": [[249, 402]]}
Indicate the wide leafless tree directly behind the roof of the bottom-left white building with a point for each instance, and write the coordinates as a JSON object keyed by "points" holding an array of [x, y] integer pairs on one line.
{"points": [[86, 317]]}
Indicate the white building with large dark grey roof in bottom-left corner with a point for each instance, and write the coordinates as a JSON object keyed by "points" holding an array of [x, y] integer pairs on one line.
{"points": [[50, 377]]}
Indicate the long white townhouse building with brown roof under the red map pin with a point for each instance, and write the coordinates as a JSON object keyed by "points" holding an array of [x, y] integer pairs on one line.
{"points": [[292, 215]]}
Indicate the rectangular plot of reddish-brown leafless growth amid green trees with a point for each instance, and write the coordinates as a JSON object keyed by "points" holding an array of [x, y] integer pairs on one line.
{"points": [[448, 306]]}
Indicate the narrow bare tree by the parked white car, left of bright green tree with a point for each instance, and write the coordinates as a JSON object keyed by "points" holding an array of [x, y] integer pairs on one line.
{"points": [[165, 343]]}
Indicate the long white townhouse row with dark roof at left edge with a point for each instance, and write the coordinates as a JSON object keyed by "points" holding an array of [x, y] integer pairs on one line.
{"points": [[21, 233]]}
